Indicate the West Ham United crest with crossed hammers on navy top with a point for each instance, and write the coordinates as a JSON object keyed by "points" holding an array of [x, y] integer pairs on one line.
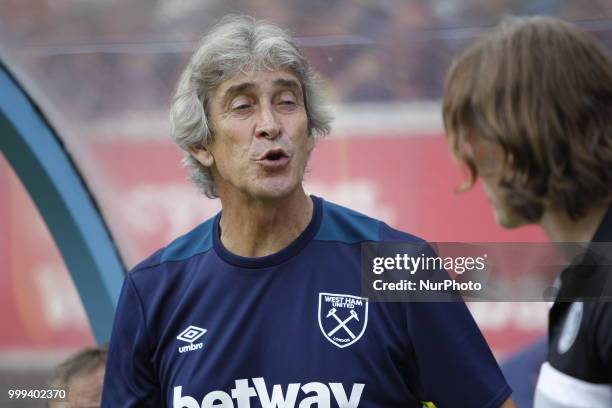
{"points": [[342, 318]]}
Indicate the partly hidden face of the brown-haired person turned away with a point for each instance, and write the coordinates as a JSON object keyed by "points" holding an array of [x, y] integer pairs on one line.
{"points": [[490, 161]]}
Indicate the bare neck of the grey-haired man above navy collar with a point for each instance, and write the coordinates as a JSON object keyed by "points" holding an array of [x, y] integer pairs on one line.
{"points": [[254, 228]]}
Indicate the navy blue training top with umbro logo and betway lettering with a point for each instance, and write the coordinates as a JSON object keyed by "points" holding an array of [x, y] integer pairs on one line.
{"points": [[197, 326]]}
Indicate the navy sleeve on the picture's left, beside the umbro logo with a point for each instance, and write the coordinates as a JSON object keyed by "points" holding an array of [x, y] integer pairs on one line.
{"points": [[129, 380]]}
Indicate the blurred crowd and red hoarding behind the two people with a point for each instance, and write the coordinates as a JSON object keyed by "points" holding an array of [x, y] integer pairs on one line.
{"points": [[103, 73]]}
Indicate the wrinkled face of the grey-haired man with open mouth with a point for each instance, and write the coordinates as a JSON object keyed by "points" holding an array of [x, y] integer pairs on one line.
{"points": [[260, 143]]}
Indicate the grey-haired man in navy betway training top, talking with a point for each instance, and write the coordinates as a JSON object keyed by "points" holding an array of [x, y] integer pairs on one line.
{"points": [[261, 304]]}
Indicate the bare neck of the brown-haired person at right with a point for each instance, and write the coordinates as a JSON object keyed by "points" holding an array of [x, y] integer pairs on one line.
{"points": [[559, 227]]}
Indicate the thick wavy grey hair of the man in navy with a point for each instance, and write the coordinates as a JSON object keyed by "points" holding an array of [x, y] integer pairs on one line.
{"points": [[237, 44]]}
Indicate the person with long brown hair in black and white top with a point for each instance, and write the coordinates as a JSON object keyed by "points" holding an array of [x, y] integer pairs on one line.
{"points": [[528, 108]]}
